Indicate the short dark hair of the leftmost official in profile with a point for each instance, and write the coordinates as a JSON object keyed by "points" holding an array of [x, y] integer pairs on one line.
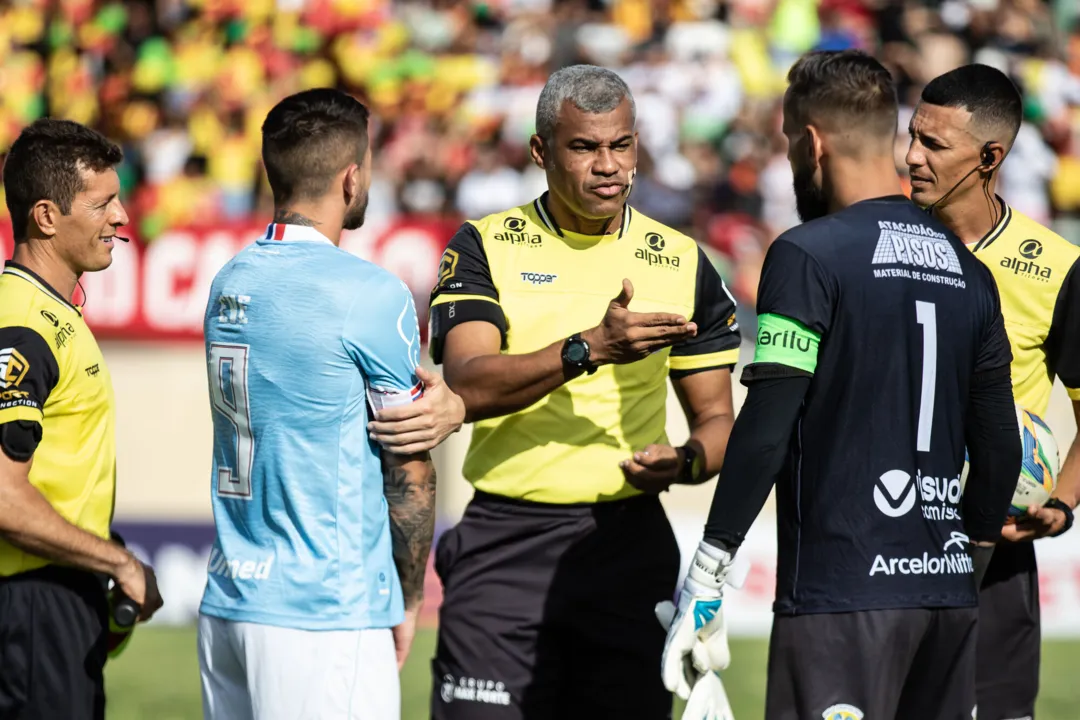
{"points": [[47, 161]]}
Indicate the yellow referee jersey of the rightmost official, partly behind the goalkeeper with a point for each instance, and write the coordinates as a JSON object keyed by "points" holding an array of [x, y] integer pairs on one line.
{"points": [[1038, 277]]}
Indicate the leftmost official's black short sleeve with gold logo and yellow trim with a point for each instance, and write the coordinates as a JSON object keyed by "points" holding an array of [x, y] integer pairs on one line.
{"points": [[29, 374]]}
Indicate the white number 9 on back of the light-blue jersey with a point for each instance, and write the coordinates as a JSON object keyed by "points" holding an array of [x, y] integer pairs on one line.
{"points": [[228, 391]]}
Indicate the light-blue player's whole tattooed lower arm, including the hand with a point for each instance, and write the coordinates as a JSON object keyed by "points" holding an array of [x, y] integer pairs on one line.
{"points": [[409, 483]]}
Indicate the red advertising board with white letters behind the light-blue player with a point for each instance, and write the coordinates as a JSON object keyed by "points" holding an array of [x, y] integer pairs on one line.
{"points": [[158, 292]]}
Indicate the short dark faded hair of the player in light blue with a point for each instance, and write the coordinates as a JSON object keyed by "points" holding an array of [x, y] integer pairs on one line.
{"points": [[308, 139]]}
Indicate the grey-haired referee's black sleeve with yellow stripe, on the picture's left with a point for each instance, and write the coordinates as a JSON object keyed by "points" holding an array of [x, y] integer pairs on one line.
{"points": [[465, 291]]}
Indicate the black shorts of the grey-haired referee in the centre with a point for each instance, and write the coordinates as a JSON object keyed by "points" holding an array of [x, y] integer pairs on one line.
{"points": [[548, 612]]}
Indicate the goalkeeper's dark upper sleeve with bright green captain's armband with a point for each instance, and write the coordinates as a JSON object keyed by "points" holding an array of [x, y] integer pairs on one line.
{"points": [[795, 306]]}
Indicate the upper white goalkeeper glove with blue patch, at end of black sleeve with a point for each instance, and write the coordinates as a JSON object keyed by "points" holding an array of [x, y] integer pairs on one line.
{"points": [[698, 637]]}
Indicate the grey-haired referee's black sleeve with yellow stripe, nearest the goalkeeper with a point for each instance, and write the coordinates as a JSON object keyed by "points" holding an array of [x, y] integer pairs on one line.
{"points": [[717, 345]]}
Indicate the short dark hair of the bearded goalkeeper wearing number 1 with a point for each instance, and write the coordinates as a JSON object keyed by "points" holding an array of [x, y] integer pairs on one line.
{"points": [[842, 90]]}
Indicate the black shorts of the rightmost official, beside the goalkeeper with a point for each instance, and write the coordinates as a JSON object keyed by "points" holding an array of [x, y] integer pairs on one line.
{"points": [[1007, 674]]}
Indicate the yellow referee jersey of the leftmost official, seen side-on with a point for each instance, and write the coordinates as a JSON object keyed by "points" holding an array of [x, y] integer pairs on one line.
{"points": [[52, 373]]}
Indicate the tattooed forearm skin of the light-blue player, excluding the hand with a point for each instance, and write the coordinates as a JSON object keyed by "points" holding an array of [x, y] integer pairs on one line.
{"points": [[411, 497]]}
